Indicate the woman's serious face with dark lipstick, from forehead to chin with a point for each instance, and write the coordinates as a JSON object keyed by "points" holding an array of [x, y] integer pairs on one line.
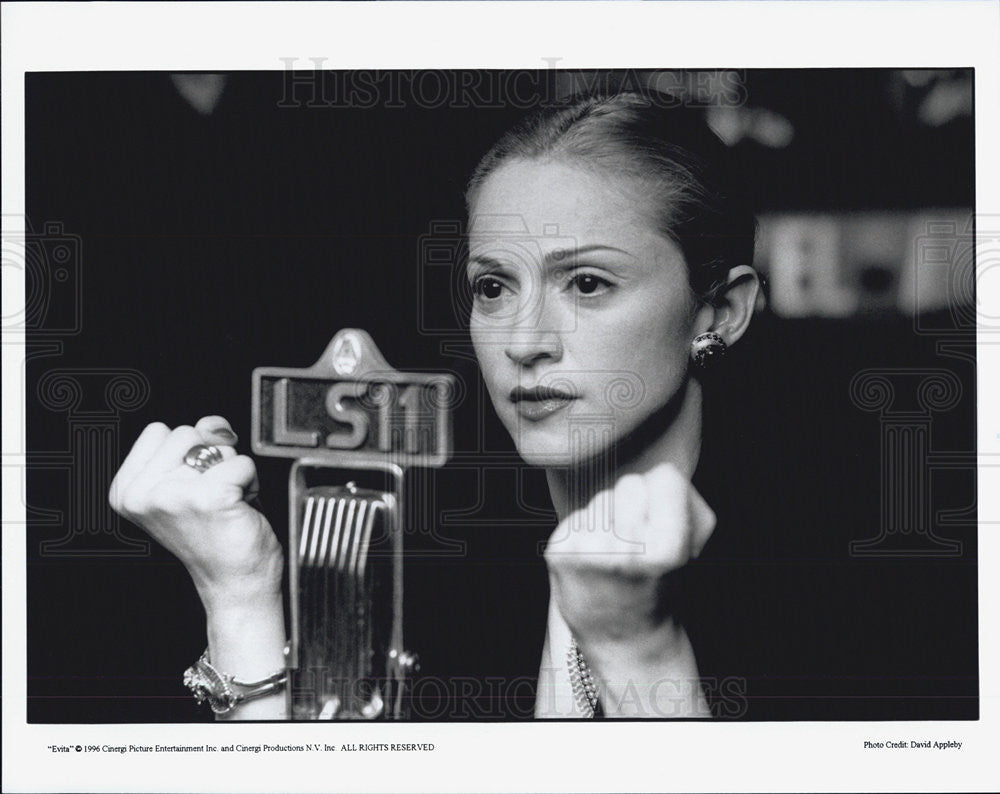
{"points": [[582, 315]]}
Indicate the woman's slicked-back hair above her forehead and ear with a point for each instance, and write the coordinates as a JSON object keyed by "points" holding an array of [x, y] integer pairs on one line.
{"points": [[688, 182]]}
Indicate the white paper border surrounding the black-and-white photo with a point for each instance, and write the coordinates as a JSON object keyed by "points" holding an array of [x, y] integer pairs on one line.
{"points": [[411, 35]]}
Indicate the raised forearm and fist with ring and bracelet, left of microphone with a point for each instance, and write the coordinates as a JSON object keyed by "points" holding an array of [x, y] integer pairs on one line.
{"points": [[200, 514]]}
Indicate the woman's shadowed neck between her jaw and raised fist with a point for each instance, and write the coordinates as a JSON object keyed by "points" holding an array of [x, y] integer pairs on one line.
{"points": [[671, 435]]}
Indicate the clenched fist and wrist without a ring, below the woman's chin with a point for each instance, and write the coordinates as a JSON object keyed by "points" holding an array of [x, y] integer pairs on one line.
{"points": [[609, 563]]}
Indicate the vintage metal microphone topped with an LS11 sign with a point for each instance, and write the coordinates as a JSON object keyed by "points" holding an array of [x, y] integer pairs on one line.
{"points": [[354, 425]]}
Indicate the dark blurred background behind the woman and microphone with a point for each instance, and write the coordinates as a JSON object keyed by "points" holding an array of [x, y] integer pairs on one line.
{"points": [[186, 228]]}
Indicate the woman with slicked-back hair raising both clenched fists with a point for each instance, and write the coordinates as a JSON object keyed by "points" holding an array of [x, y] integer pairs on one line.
{"points": [[609, 258]]}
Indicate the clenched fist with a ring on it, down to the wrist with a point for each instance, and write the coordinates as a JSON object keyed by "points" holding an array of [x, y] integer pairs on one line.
{"points": [[203, 518]]}
